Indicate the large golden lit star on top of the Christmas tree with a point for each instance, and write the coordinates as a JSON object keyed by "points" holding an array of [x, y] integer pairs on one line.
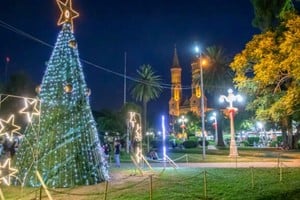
{"points": [[67, 13]]}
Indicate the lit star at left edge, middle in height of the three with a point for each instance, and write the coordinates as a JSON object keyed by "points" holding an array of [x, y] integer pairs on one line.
{"points": [[8, 127]]}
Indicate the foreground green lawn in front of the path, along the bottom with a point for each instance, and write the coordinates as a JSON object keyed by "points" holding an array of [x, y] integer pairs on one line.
{"points": [[181, 184]]}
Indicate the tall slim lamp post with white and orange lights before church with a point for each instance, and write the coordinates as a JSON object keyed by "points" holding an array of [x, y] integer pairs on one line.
{"points": [[201, 62]]}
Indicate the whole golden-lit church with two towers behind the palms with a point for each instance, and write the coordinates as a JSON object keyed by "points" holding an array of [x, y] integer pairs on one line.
{"points": [[178, 105]]}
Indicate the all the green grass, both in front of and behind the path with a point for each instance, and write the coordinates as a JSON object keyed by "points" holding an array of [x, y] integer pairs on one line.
{"points": [[187, 183]]}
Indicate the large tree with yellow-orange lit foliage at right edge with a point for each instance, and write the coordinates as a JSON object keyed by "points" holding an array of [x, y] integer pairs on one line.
{"points": [[274, 86]]}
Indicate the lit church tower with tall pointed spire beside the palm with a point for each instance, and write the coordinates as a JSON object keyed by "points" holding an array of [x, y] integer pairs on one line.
{"points": [[176, 91]]}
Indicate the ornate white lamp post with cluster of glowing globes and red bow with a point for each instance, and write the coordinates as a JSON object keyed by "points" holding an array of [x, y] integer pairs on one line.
{"points": [[230, 99]]}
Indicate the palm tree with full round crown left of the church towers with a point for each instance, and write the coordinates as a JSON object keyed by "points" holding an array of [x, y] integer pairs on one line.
{"points": [[147, 87]]}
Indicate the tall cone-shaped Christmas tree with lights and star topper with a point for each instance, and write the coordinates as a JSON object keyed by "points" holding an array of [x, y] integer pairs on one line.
{"points": [[62, 144]]}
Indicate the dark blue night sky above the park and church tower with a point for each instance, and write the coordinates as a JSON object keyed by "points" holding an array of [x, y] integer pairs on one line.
{"points": [[146, 30]]}
